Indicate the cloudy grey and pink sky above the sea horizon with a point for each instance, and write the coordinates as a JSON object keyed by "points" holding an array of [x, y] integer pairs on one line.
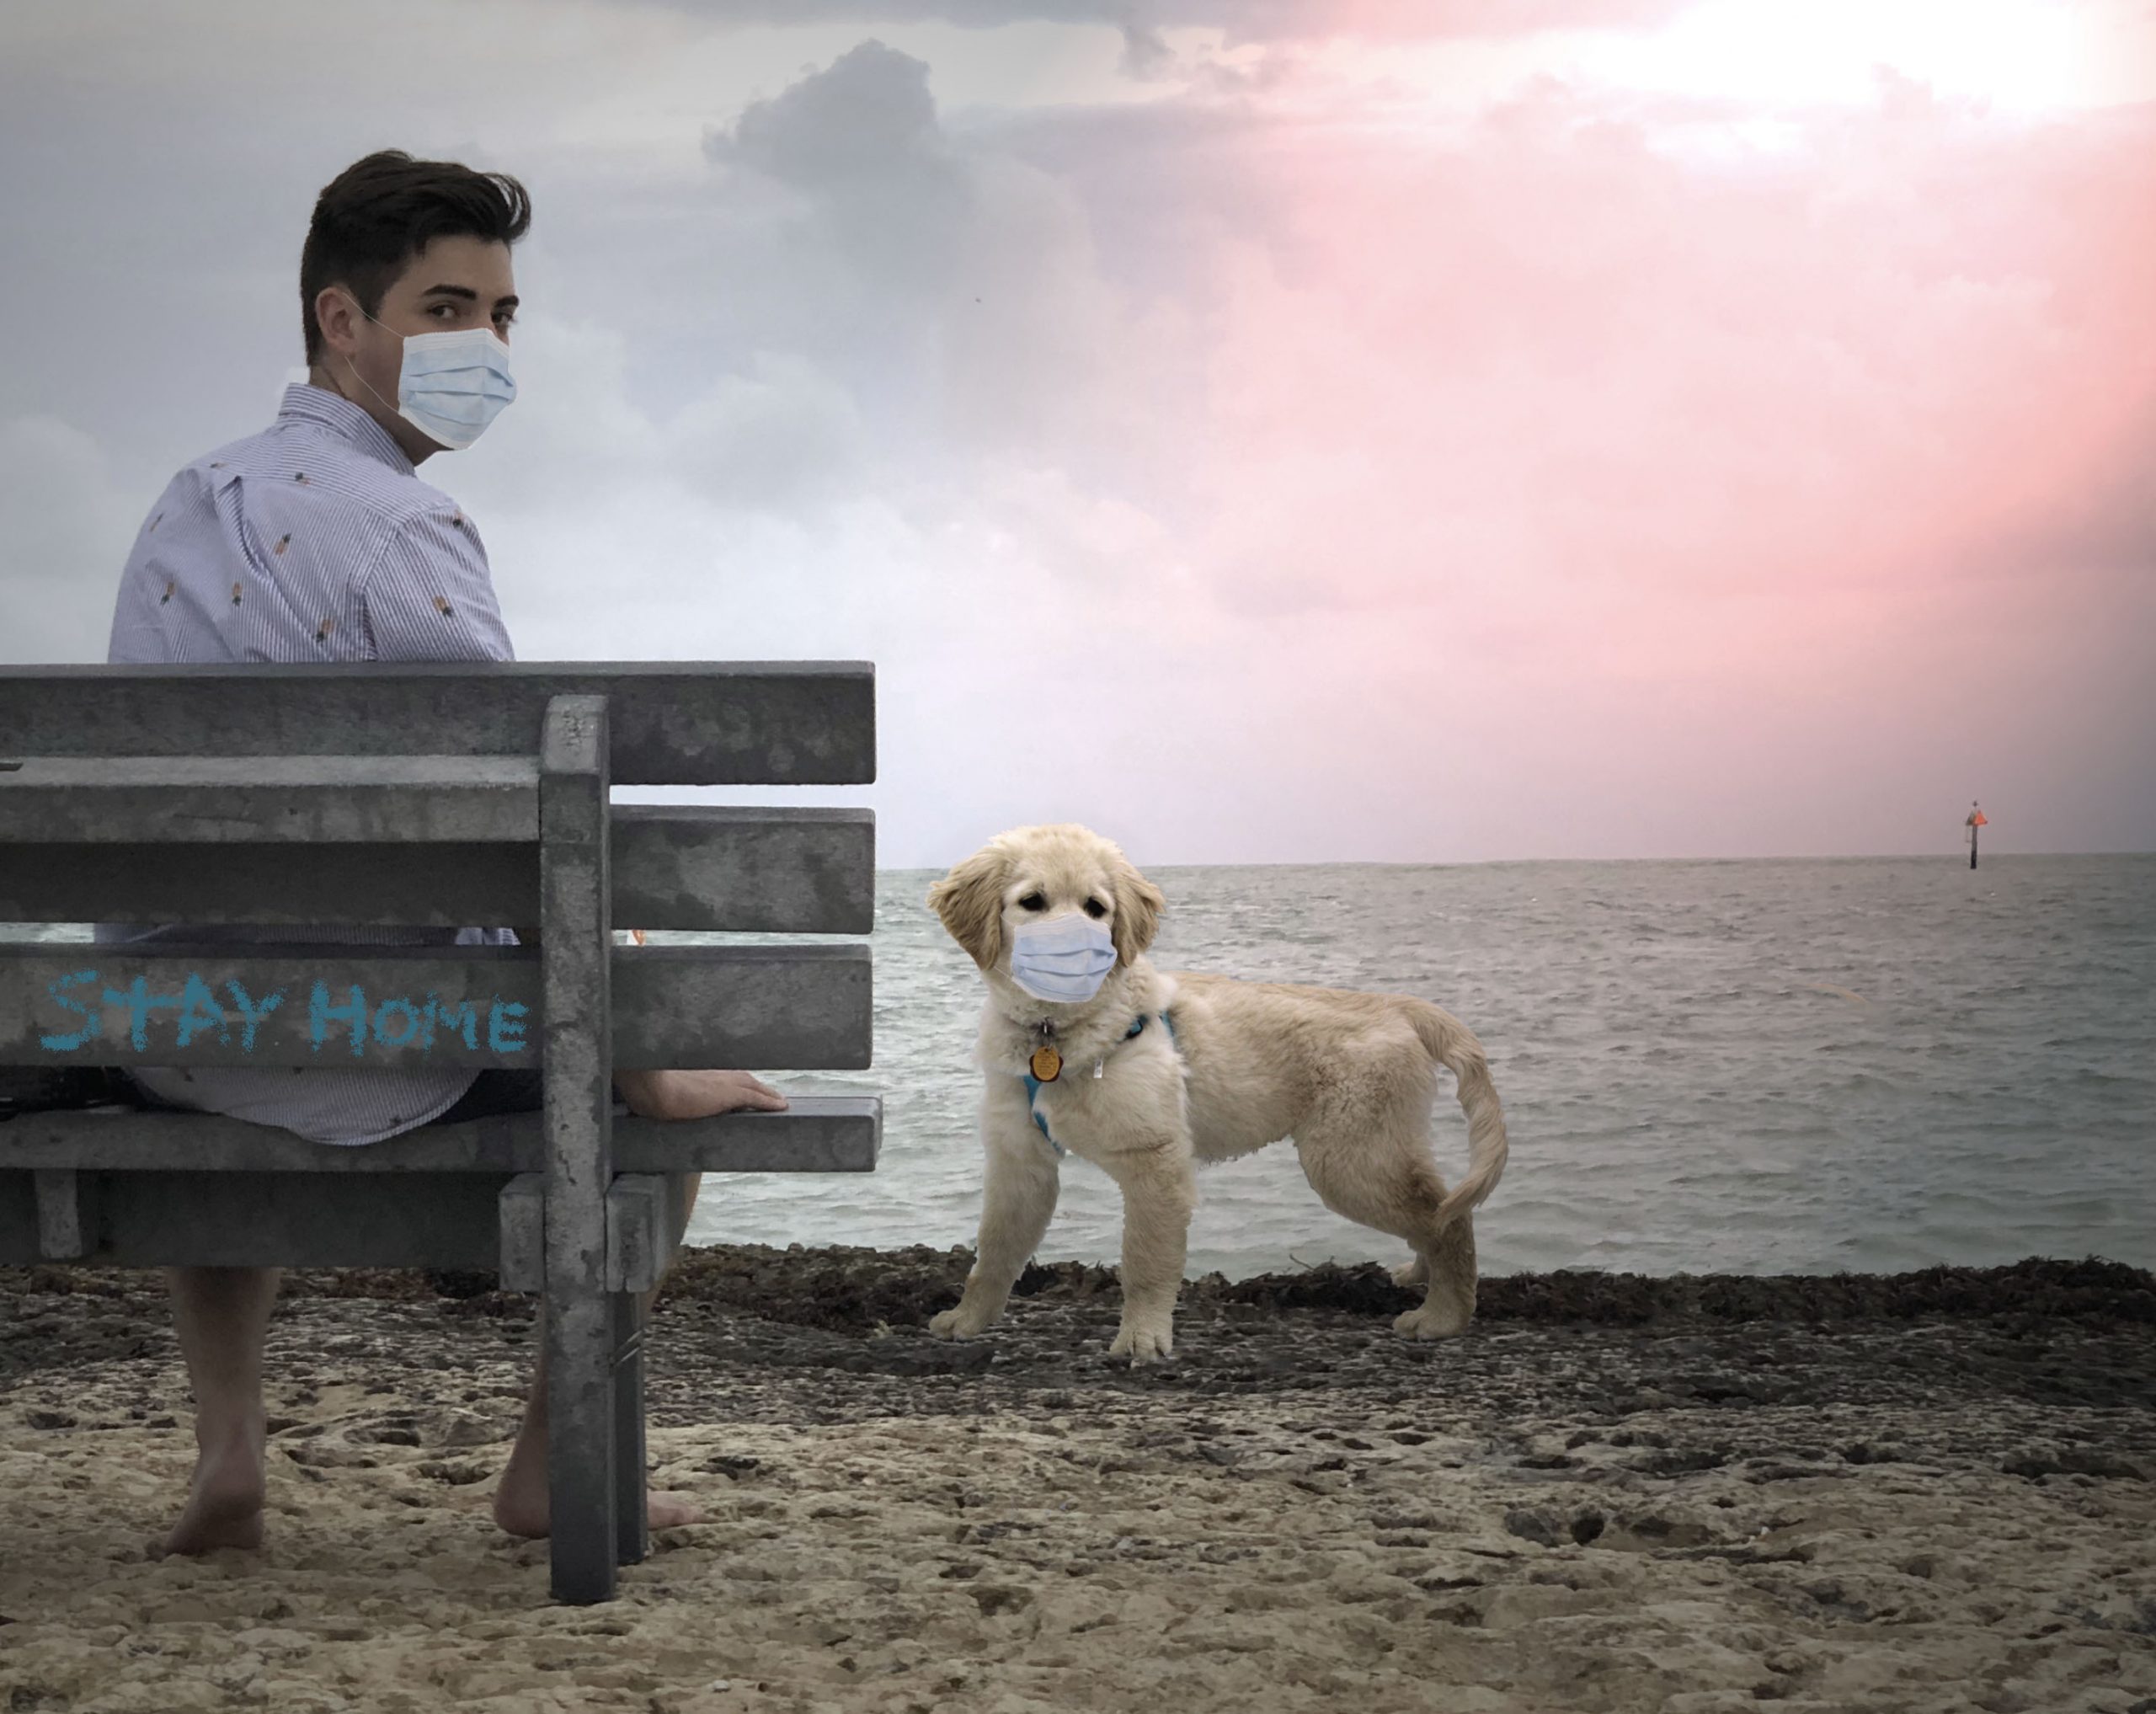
{"points": [[1260, 430]]}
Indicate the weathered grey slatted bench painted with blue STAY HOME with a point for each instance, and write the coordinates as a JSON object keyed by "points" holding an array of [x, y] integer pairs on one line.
{"points": [[434, 797]]}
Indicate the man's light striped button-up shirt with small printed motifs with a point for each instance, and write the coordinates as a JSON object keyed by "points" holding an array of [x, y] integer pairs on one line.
{"points": [[314, 540]]}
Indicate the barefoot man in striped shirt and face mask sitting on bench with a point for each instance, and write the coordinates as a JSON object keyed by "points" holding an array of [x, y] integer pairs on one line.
{"points": [[316, 540]]}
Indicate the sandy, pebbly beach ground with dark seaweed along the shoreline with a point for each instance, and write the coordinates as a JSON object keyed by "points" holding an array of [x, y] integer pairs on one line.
{"points": [[1909, 1493]]}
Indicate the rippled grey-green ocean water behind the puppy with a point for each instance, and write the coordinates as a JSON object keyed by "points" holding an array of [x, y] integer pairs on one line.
{"points": [[1754, 1068]]}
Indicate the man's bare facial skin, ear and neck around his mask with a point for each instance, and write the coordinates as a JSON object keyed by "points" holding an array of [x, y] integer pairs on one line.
{"points": [[454, 284]]}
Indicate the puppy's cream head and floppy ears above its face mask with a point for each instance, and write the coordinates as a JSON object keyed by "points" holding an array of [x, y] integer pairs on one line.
{"points": [[1034, 874]]}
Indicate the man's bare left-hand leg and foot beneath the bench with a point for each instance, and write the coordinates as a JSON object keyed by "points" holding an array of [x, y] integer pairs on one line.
{"points": [[223, 1316]]}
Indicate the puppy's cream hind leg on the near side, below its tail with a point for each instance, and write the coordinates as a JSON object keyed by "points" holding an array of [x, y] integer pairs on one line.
{"points": [[1379, 1174]]}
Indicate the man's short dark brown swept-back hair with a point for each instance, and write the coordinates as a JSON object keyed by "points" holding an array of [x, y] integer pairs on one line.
{"points": [[381, 212]]}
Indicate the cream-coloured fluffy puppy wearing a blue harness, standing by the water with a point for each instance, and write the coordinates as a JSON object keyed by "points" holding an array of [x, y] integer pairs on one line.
{"points": [[1163, 1070]]}
